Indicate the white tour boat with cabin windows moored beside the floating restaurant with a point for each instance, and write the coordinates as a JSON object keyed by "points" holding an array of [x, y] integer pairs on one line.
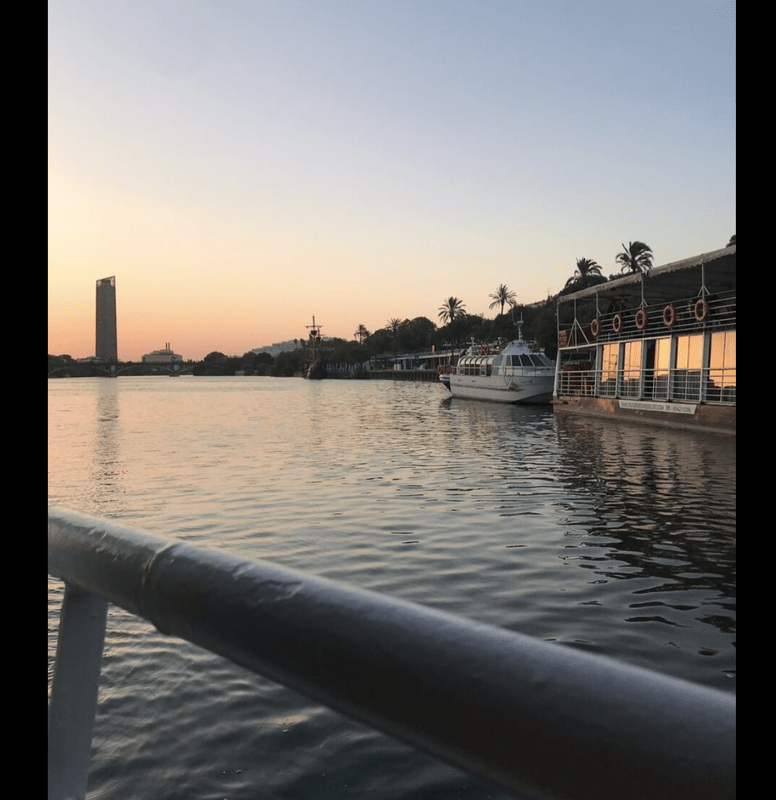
{"points": [[513, 375]]}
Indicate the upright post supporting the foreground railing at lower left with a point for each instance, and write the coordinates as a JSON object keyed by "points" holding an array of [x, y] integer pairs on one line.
{"points": [[74, 693]]}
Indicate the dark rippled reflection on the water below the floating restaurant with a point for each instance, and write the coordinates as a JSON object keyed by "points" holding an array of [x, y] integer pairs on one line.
{"points": [[655, 508]]}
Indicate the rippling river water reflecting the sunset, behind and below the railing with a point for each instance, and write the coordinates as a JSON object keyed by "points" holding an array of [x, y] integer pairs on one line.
{"points": [[609, 537]]}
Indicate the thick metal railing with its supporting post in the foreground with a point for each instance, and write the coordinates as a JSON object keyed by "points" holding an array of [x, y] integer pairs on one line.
{"points": [[538, 719]]}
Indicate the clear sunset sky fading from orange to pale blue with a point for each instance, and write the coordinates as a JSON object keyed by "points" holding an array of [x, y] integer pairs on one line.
{"points": [[242, 165]]}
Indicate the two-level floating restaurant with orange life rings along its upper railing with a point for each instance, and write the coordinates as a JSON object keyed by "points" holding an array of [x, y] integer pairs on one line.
{"points": [[656, 347]]}
